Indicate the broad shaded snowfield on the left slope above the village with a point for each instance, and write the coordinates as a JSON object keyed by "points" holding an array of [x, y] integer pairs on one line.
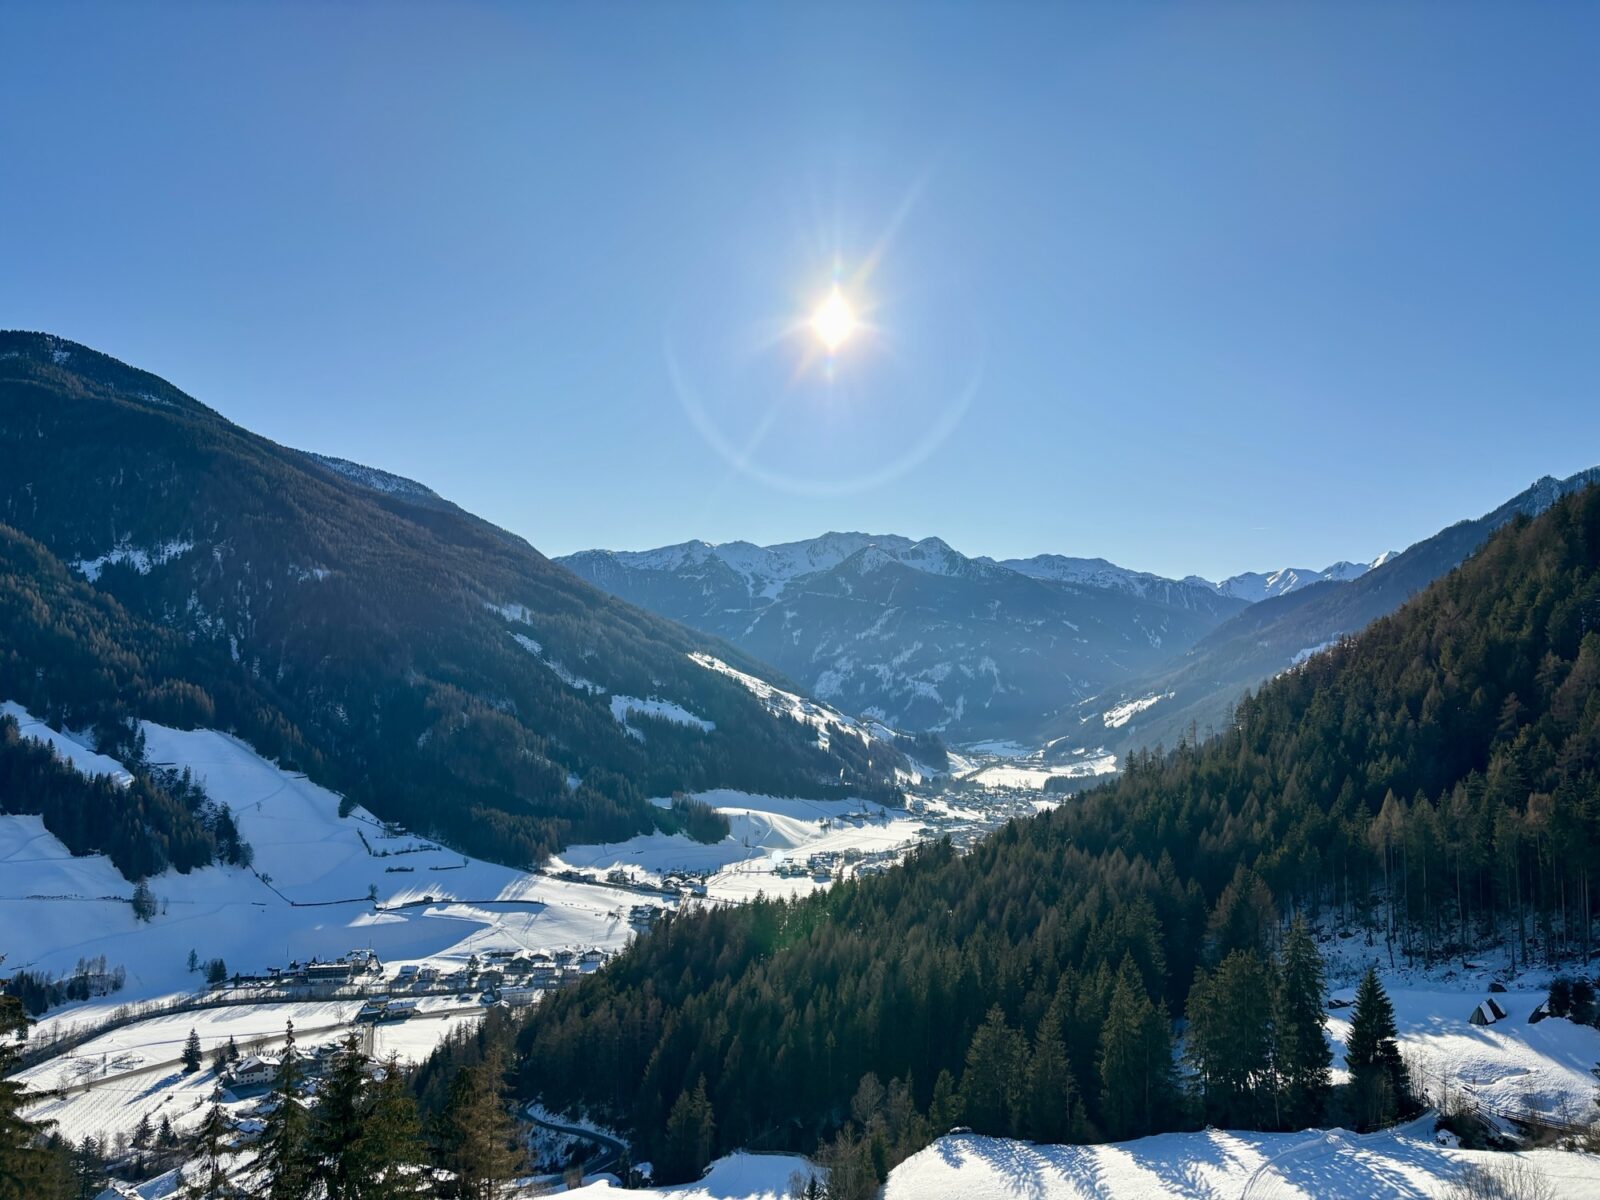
{"points": [[316, 903]]}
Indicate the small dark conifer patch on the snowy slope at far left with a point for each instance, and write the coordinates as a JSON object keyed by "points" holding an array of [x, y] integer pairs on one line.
{"points": [[145, 826]]}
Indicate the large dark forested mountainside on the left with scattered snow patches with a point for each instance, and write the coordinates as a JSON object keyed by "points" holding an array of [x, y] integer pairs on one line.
{"points": [[158, 561]]}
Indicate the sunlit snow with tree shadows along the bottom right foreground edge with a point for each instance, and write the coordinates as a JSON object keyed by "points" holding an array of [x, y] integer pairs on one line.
{"points": [[1314, 1166]]}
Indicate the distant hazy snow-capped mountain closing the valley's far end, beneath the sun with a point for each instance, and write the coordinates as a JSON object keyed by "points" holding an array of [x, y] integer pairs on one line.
{"points": [[916, 634]]}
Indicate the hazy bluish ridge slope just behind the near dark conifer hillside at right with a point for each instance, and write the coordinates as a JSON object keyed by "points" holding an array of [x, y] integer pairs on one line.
{"points": [[1194, 690]]}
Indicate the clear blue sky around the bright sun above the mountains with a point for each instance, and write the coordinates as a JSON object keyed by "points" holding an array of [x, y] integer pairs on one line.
{"points": [[1199, 289]]}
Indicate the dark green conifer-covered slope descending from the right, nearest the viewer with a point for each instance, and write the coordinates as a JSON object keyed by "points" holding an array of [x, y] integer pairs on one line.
{"points": [[1433, 783]]}
